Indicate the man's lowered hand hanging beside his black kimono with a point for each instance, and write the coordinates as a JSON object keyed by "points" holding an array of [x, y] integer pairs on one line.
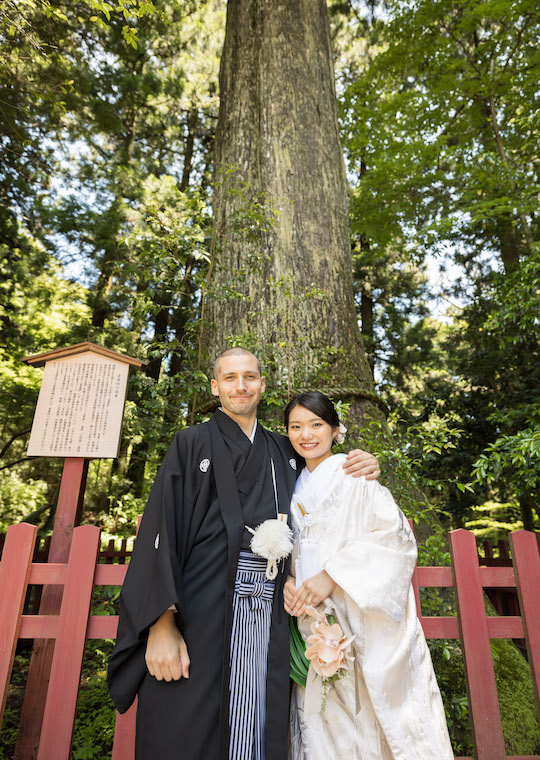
{"points": [[166, 655]]}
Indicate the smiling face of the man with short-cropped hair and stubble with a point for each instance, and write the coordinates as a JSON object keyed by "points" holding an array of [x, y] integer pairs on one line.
{"points": [[239, 385]]}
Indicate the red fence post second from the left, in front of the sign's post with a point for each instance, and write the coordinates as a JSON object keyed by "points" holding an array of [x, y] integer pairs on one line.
{"points": [[59, 715]]}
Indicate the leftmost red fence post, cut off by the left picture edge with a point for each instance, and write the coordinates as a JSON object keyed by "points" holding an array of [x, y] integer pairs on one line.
{"points": [[14, 572]]}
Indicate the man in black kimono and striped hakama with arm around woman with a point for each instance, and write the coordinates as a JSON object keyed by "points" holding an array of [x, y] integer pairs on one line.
{"points": [[203, 635]]}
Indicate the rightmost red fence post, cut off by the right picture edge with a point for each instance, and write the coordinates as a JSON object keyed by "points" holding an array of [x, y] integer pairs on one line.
{"points": [[527, 571]]}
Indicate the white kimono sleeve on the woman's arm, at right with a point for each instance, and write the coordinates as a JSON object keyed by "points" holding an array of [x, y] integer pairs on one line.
{"points": [[372, 552]]}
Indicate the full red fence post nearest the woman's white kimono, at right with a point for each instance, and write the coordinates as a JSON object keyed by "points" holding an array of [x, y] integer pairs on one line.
{"points": [[480, 676]]}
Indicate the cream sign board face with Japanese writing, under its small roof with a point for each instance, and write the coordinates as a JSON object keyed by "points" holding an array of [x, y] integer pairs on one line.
{"points": [[80, 407]]}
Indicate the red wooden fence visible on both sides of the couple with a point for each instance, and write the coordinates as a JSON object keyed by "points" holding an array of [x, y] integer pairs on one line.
{"points": [[75, 624]]}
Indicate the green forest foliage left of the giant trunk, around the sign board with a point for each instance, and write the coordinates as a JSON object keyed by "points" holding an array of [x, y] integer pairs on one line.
{"points": [[125, 207]]}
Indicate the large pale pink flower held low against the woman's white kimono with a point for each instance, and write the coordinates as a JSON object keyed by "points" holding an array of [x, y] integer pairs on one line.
{"points": [[327, 647]]}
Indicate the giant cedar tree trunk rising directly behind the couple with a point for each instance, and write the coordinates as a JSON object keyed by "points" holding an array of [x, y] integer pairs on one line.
{"points": [[287, 284]]}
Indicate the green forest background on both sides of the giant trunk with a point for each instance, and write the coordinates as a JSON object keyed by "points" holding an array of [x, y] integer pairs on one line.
{"points": [[108, 119]]}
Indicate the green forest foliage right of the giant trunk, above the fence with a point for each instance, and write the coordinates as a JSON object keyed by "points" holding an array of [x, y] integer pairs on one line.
{"points": [[439, 121]]}
